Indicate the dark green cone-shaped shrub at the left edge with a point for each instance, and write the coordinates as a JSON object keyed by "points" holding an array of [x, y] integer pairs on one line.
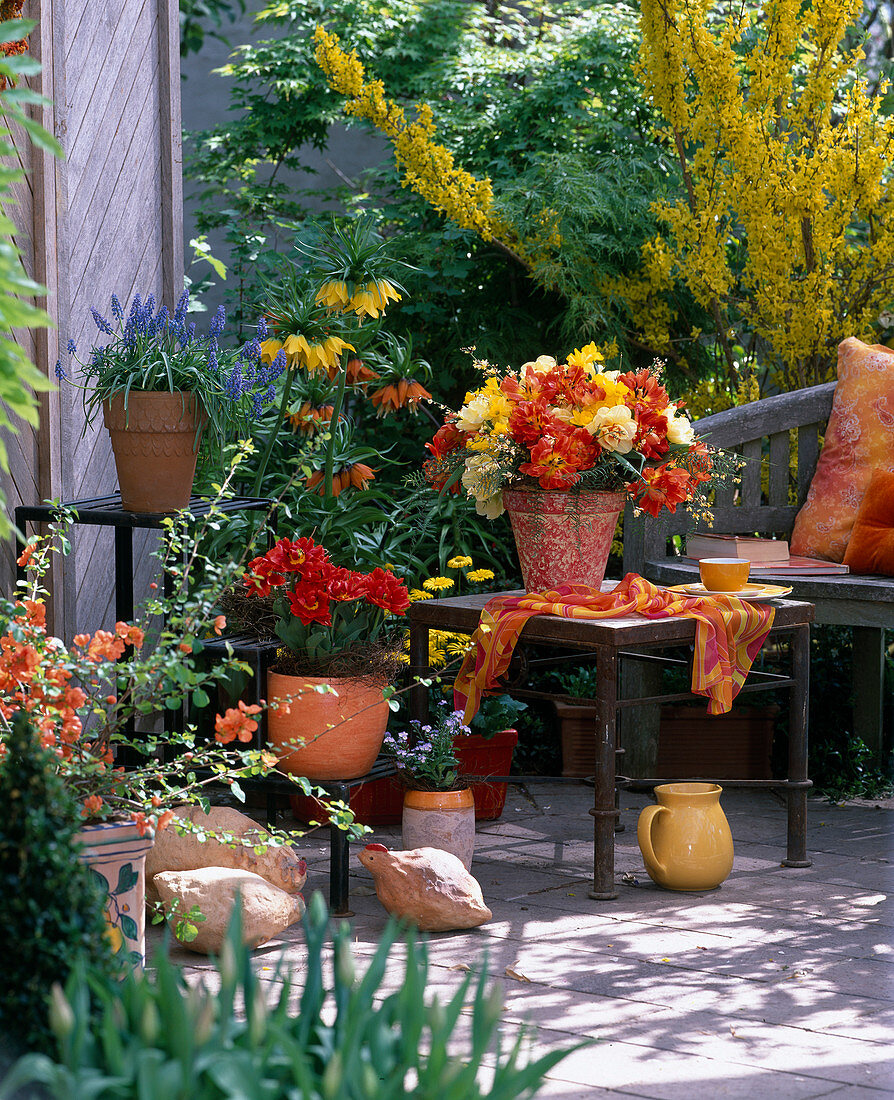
{"points": [[52, 905]]}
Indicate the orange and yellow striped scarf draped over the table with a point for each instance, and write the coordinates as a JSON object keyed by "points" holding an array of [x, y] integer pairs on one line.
{"points": [[730, 633]]}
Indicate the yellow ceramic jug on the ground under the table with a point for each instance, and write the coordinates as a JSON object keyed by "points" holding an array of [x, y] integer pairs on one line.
{"points": [[686, 840]]}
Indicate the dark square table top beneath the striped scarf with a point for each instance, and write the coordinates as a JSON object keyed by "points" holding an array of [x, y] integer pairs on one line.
{"points": [[462, 614]]}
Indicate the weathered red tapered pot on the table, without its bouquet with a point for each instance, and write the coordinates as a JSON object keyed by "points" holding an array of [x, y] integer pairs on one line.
{"points": [[562, 537]]}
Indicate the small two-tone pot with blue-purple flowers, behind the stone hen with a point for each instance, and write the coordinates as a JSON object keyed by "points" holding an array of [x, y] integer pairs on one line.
{"points": [[439, 809]]}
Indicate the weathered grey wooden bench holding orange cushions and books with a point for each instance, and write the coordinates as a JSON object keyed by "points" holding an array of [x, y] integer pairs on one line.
{"points": [[766, 434]]}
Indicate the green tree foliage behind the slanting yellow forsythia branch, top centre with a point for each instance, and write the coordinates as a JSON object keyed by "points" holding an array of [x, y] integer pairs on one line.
{"points": [[539, 98]]}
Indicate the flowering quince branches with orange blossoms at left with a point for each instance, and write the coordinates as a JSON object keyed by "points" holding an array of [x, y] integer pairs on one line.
{"points": [[82, 697]]}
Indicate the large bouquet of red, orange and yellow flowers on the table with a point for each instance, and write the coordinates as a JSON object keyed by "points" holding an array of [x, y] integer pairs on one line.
{"points": [[567, 426]]}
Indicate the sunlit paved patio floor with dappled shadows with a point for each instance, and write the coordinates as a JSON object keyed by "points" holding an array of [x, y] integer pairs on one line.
{"points": [[778, 985]]}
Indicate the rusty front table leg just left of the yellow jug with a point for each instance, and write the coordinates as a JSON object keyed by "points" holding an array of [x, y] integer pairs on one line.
{"points": [[605, 813]]}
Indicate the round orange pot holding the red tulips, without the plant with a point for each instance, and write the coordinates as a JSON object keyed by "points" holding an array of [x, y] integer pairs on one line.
{"points": [[343, 731]]}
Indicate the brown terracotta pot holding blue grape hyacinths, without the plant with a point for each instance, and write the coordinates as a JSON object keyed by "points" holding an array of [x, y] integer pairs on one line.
{"points": [[156, 446]]}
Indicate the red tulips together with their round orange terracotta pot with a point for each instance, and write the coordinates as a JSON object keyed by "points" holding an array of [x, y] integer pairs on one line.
{"points": [[329, 688]]}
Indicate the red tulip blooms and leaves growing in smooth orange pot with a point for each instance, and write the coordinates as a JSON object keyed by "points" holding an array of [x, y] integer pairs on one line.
{"points": [[324, 613]]}
